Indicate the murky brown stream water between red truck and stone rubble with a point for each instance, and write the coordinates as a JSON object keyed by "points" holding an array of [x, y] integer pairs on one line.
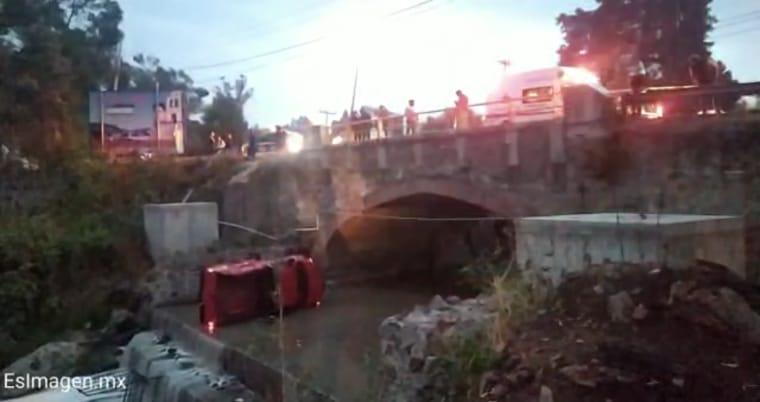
{"points": [[335, 346]]}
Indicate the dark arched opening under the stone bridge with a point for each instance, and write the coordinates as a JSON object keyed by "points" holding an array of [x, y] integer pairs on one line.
{"points": [[420, 240]]}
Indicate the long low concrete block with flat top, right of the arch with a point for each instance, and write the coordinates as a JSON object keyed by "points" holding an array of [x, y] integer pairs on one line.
{"points": [[562, 244]]}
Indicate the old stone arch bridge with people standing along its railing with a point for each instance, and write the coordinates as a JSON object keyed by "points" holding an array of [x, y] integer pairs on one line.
{"points": [[538, 169]]}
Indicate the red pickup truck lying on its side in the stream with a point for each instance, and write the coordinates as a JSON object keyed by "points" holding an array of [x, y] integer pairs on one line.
{"points": [[254, 288]]}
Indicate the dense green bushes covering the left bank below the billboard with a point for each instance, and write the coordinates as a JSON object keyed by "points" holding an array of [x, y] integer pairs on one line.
{"points": [[60, 260]]}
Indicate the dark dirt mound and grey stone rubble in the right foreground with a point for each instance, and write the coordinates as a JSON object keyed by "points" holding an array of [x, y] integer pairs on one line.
{"points": [[630, 333]]}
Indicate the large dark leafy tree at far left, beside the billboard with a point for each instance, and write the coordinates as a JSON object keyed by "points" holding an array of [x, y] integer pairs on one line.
{"points": [[54, 52]]}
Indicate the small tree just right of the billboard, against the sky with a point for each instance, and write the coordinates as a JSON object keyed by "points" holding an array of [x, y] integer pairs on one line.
{"points": [[225, 113]]}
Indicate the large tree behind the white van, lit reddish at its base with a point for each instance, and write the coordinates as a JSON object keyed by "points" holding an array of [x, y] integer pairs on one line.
{"points": [[663, 33]]}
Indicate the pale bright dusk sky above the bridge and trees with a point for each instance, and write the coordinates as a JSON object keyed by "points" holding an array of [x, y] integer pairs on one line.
{"points": [[425, 53]]}
